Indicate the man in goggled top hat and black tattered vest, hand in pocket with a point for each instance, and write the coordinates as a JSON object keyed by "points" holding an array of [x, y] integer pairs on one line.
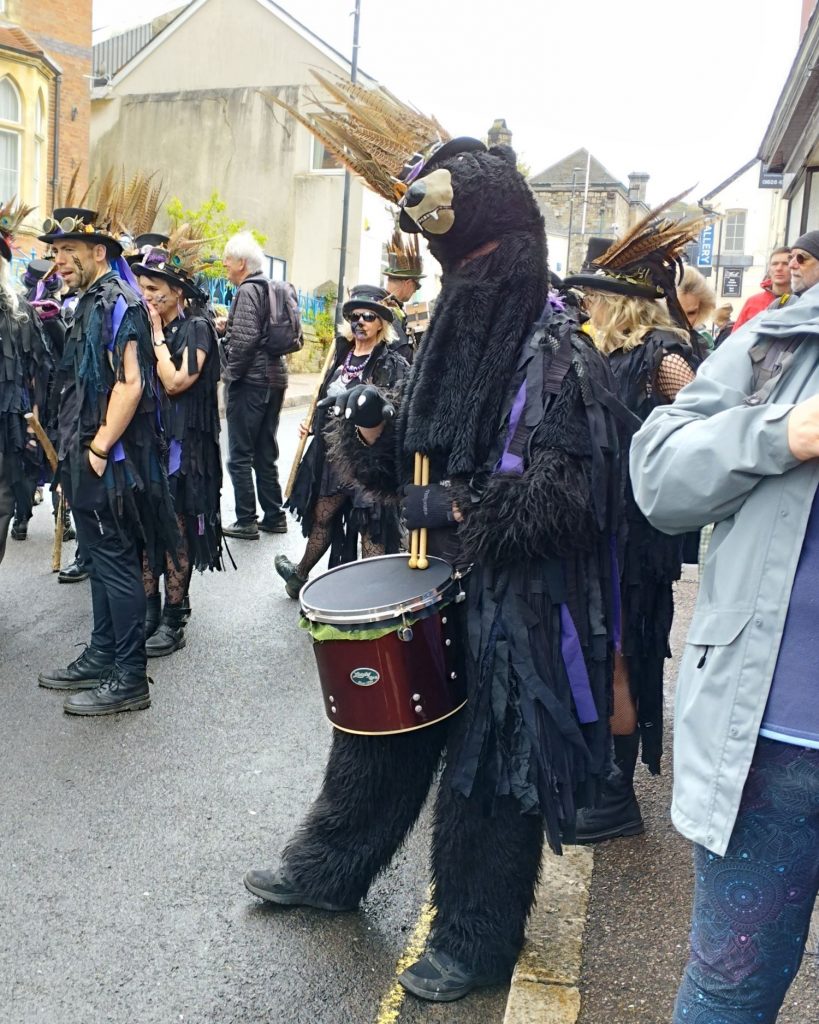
{"points": [[110, 466]]}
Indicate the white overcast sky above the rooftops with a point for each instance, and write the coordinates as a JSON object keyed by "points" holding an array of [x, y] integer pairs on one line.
{"points": [[682, 92]]}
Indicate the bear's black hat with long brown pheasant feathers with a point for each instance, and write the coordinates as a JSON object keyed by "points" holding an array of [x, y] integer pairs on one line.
{"points": [[376, 136]]}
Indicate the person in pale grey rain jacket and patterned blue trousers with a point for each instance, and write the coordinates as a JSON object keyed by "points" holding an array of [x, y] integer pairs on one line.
{"points": [[741, 448]]}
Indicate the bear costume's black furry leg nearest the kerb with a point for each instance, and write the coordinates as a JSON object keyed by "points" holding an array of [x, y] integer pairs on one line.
{"points": [[486, 866]]}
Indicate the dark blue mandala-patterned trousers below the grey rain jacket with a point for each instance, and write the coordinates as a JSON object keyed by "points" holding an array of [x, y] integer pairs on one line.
{"points": [[753, 907]]}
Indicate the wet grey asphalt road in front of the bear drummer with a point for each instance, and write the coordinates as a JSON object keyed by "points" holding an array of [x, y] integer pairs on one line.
{"points": [[123, 840]]}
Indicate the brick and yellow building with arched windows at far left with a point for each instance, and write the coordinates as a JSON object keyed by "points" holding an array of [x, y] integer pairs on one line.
{"points": [[46, 102]]}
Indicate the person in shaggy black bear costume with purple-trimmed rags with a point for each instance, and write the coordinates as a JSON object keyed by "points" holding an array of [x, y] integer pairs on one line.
{"points": [[512, 405]]}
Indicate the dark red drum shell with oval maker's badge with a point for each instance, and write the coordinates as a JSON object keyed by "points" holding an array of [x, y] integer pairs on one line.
{"points": [[420, 681]]}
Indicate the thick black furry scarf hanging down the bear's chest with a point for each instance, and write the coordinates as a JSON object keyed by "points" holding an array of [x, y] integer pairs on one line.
{"points": [[463, 370]]}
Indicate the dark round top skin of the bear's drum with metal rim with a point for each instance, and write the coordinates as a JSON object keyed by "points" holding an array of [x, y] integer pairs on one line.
{"points": [[375, 590]]}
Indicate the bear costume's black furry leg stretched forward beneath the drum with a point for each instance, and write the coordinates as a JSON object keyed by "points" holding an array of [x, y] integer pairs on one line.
{"points": [[373, 793]]}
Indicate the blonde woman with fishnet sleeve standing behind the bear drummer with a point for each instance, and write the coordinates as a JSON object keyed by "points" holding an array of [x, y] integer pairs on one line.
{"points": [[652, 360]]}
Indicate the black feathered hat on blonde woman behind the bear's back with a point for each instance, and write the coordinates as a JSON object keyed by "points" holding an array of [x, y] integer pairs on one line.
{"points": [[648, 262]]}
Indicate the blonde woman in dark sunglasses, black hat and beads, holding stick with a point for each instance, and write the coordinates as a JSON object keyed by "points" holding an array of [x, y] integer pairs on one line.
{"points": [[333, 516]]}
